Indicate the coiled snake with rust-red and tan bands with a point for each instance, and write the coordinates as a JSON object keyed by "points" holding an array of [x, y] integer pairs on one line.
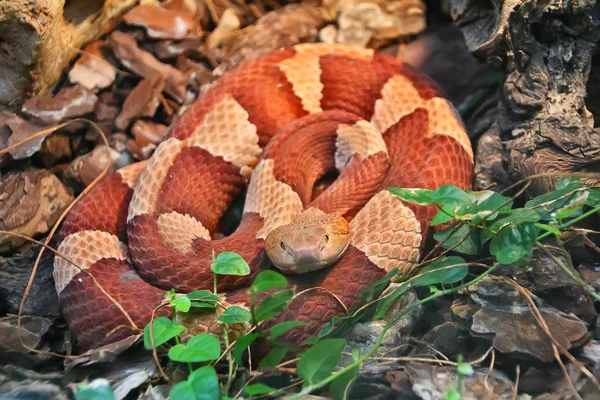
{"points": [[308, 138]]}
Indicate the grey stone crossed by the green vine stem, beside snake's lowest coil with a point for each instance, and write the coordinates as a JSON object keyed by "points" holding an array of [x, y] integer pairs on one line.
{"points": [[363, 336]]}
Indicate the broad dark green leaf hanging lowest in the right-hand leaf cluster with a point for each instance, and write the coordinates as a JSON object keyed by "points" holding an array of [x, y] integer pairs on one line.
{"points": [[514, 242]]}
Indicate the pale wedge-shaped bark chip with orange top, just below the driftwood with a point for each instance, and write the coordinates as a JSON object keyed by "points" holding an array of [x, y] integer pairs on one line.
{"points": [[93, 69]]}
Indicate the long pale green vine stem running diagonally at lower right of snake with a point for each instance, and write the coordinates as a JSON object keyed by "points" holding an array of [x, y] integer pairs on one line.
{"points": [[307, 390]]}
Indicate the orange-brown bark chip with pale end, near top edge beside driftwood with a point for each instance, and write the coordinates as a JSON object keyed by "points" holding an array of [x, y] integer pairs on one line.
{"points": [[162, 23]]}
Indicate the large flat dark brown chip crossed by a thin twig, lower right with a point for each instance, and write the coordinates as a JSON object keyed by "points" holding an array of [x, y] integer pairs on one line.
{"points": [[503, 318]]}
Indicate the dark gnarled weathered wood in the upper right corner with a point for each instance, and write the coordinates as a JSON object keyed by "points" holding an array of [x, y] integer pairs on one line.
{"points": [[546, 50]]}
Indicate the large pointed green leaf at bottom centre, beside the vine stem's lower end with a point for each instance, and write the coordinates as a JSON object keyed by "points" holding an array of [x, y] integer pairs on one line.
{"points": [[318, 362]]}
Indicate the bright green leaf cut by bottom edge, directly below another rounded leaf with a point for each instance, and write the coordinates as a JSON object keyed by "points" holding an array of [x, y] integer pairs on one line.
{"points": [[202, 384]]}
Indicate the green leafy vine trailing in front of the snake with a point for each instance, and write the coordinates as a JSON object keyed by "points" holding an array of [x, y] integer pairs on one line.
{"points": [[475, 224]]}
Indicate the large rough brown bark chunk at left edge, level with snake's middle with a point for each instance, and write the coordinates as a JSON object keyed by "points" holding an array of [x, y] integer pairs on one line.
{"points": [[30, 204]]}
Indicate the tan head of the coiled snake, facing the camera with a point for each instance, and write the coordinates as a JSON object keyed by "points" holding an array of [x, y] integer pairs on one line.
{"points": [[313, 240]]}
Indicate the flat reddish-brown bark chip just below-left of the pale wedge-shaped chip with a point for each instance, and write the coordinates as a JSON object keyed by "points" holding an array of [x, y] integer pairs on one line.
{"points": [[70, 102]]}
